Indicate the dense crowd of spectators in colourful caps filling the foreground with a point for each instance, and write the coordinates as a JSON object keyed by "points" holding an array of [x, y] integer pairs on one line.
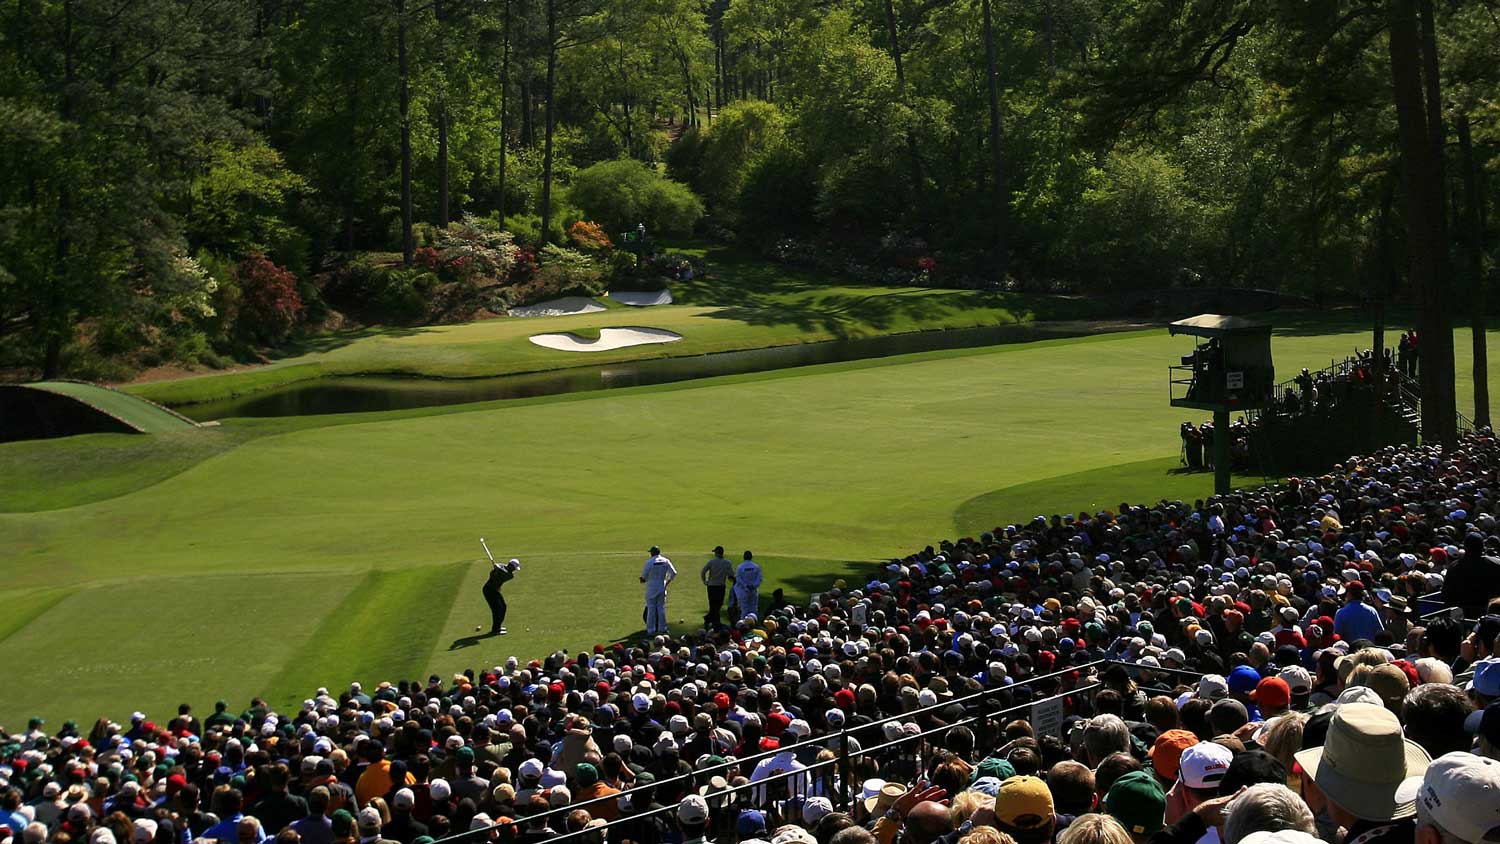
{"points": [[1250, 669]]}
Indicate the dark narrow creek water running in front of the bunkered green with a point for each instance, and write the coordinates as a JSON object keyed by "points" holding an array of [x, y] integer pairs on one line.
{"points": [[386, 394]]}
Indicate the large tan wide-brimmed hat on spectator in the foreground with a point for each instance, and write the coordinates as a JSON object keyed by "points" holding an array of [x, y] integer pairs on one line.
{"points": [[1366, 765]]}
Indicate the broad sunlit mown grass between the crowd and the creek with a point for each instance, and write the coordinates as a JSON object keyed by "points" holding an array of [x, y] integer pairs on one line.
{"points": [[319, 551]]}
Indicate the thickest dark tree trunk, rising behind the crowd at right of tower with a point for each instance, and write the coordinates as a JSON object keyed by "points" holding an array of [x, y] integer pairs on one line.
{"points": [[1427, 239]]}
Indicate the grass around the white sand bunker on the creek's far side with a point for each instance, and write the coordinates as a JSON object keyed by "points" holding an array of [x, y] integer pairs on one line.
{"points": [[743, 305]]}
